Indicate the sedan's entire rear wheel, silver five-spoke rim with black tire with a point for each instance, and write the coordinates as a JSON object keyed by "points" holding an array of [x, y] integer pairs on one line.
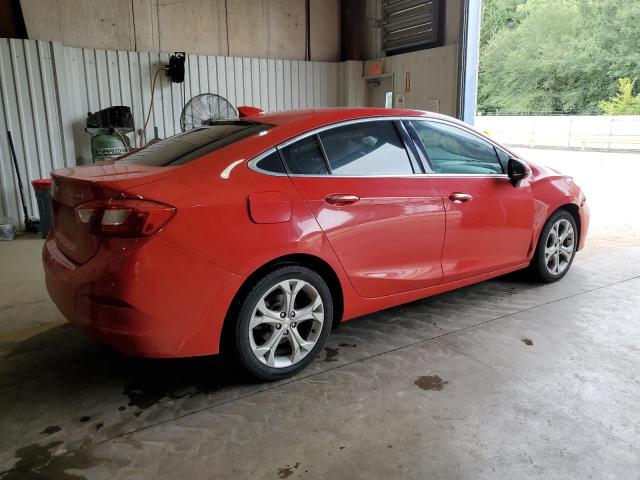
{"points": [[283, 323]]}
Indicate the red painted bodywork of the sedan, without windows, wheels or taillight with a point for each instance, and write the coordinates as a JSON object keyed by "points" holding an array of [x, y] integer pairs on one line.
{"points": [[168, 294]]}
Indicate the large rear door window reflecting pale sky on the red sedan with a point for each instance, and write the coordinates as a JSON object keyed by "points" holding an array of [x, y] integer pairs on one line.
{"points": [[366, 148]]}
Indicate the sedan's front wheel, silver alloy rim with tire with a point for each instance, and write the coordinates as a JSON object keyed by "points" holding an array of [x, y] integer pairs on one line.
{"points": [[556, 247]]}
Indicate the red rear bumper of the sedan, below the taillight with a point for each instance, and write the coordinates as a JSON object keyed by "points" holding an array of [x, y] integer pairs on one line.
{"points": [[145, 298]]}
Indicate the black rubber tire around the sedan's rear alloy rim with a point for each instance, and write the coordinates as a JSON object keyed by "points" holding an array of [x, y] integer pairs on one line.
{"points": [[242, 344]]}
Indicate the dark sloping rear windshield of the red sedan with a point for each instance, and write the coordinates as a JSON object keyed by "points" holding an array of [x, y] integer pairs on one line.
{"points": [[191, 145]]}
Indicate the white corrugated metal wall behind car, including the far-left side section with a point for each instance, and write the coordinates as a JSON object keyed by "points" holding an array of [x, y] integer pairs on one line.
{"points": [[47, 90]]}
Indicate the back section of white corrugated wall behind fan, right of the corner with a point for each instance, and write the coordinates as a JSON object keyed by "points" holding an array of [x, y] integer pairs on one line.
{"points": [[96, 79]]}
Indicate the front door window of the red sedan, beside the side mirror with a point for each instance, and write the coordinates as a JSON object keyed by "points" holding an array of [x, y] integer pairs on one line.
{"points": [[454, 150]]}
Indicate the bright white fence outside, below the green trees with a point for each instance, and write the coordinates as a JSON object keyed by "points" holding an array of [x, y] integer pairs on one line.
{"points": [[609, 133]]}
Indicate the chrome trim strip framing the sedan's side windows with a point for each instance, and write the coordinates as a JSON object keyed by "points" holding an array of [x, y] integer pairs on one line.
{"points": [[252, 164]]}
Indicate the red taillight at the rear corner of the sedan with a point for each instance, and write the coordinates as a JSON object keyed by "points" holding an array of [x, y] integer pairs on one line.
{"points": [[124, 217]]}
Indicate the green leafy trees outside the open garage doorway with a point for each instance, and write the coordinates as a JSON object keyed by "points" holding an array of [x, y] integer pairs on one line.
{"points": [[559, 56]]}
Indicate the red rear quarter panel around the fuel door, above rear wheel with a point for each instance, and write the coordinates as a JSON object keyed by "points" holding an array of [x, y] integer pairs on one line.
{"points": [[214, 222]]}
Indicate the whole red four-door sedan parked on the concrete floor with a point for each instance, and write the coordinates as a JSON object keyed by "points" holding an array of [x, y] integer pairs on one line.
{"points": [[256, 235]]}
